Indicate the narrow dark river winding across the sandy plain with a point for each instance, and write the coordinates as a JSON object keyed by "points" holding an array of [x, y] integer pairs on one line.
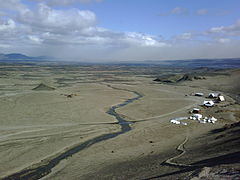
{"points": [[45, 169]]}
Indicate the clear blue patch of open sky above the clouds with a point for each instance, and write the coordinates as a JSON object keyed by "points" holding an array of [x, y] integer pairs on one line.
{"points": [[145, 15]]}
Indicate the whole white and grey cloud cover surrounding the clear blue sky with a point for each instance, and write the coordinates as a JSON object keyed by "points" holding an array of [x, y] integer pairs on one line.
{"points": [[42, 29]]}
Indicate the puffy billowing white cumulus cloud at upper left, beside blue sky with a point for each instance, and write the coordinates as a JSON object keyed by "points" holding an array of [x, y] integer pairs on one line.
{"points": [[57, 21]]}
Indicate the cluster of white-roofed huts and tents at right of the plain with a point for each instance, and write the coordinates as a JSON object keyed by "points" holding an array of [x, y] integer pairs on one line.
{"points": [[196, 112]]}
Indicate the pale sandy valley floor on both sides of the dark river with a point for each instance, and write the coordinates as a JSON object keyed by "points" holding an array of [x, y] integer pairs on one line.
{"points": [[38, 126]]}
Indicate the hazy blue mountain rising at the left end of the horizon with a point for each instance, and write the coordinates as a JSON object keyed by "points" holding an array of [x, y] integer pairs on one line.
{"points": [[22, 57]]}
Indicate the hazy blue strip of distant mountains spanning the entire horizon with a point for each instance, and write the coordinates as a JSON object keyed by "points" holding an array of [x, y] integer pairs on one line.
{"points": [[193, 63]]}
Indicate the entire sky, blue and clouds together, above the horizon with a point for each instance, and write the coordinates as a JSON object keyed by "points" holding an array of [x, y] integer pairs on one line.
{"points": [[121, 30]]}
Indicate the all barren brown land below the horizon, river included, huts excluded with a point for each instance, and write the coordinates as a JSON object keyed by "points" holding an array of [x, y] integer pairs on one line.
{"points": [[57, 123]]}
